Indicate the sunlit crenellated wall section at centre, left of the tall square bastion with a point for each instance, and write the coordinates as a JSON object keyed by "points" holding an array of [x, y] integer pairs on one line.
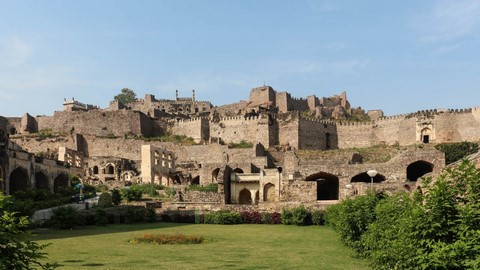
{"points": [[235, 129]]}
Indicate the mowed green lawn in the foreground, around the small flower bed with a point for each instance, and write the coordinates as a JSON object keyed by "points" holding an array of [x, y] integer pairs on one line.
{"points": [[227, 247]]}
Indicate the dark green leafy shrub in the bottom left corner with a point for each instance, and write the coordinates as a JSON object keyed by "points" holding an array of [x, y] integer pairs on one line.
{"points": [[17, 252]]}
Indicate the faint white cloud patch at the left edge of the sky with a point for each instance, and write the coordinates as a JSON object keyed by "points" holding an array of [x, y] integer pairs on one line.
{"points": [[14, 51]]}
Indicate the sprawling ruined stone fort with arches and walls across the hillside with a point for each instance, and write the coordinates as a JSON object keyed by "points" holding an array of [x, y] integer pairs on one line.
{"points": [[268, 152]]}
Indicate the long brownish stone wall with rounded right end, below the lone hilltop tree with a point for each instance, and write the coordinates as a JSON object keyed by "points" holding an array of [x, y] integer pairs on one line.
{"points": [[101, 123]]}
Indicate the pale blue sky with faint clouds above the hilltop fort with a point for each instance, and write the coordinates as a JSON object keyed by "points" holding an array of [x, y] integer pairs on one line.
{"points": [[398, 56]]}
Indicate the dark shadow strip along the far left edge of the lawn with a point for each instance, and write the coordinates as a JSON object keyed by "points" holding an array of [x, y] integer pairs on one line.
{"points": [[48, 233]]}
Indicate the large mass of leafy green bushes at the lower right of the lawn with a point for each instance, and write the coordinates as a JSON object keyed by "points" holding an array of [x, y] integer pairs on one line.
{"points": [[439, 229]]}
